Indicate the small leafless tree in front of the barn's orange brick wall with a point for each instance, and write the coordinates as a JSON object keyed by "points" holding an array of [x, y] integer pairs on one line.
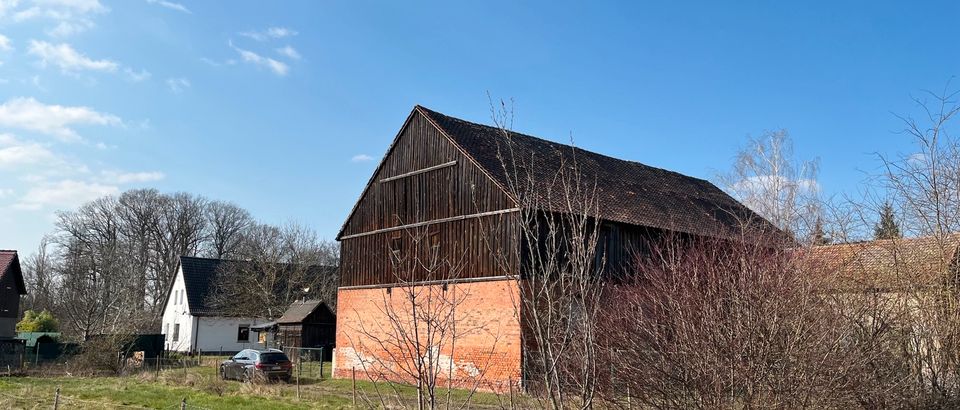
{"points": [[422, 319]]}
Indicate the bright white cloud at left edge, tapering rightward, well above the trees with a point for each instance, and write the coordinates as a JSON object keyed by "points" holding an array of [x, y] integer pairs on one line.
{"points": [[57, 120]]}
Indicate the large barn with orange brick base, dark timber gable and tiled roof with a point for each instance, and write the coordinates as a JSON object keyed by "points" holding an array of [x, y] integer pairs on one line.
{"points": [[448, 179]]}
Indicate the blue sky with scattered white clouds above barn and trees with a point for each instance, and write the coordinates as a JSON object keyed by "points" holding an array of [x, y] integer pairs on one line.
{"points": [[286, 107]]}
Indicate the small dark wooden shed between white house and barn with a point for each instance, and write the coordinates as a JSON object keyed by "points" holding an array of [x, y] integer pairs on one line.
{"points": [[308, 323]]}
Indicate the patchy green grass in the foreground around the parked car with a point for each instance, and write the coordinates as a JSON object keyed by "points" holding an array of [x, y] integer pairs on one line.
{"points": [[202, 389]]}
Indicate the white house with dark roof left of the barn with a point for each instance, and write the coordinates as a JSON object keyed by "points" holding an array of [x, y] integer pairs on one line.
{"points": [[190, 325]]}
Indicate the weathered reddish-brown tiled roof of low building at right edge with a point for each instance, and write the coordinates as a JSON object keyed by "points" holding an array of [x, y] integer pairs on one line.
{"points": [[889, 264]]}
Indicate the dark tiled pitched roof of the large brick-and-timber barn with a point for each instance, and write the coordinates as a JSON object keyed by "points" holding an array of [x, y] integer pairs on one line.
{"points": [[628, 192]]}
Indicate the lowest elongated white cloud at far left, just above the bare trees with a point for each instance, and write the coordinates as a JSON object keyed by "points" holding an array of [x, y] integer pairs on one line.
{"points": [[64, 194]]}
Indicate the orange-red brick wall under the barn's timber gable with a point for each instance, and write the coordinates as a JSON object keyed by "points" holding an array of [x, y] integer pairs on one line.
{"points": [[485, 353]]}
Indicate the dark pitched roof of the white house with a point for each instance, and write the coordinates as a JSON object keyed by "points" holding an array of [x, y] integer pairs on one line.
{"points": [[199, 276]]}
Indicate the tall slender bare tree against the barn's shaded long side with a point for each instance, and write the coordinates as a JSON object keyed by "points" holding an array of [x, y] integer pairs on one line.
{"points": [[560, 273]]}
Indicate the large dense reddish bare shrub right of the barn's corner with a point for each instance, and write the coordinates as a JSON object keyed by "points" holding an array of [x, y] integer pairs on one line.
{"points": [[709, 324]]}
